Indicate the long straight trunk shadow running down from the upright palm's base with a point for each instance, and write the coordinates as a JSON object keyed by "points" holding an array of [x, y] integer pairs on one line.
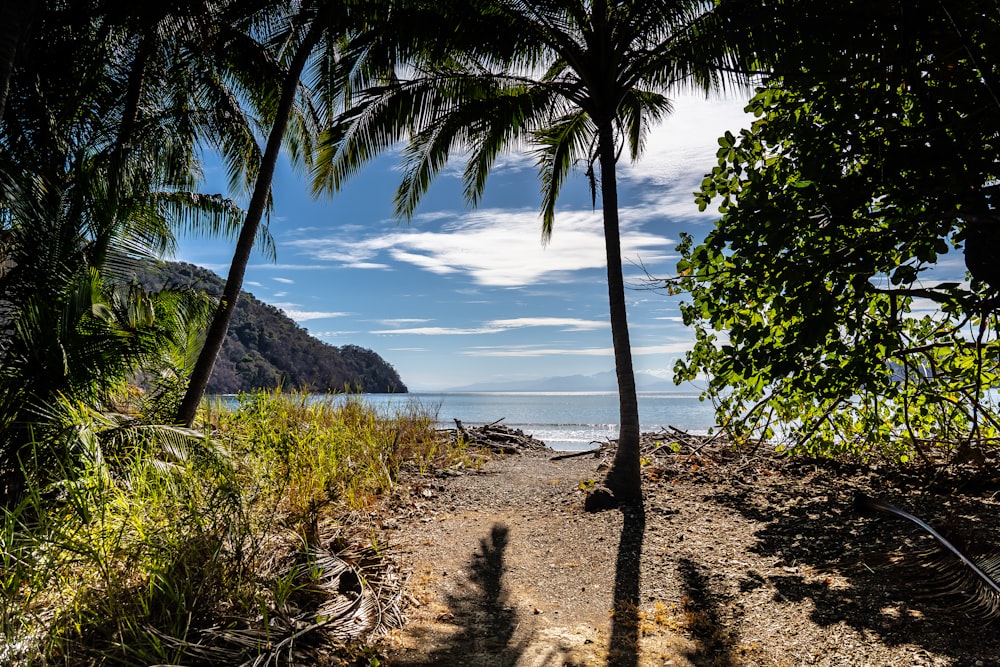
{"points": [[623, 648]]}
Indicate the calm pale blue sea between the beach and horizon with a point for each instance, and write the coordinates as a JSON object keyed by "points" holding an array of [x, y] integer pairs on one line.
{"points": [[561, 420]]}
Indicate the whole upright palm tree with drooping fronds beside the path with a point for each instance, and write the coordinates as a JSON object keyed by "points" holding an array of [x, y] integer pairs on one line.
{"points": [[578, 80]]}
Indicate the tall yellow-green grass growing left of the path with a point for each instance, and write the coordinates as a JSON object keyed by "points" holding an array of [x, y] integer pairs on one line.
{"points": [[173, 547]]}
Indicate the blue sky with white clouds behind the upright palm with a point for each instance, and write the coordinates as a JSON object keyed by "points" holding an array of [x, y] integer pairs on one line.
{"points": [[460, 296]]}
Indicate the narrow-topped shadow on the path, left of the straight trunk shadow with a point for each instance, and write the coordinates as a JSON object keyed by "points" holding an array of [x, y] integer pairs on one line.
{"points": [[482, 609]]}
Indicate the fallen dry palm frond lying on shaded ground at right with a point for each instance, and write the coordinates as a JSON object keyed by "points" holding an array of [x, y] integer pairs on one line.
{"points": [[967, 570]]}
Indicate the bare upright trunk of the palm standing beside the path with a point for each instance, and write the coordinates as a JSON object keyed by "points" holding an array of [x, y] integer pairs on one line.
{"points": [[623, 479]]}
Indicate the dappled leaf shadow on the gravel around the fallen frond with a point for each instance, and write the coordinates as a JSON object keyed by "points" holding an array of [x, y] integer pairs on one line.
{"points": [[811, 527]]}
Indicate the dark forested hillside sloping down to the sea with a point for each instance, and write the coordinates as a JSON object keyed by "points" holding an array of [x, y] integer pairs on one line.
{"points": [[265, 348]]}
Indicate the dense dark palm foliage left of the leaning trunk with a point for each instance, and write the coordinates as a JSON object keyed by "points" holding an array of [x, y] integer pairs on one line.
{"points": [[98, 145]]}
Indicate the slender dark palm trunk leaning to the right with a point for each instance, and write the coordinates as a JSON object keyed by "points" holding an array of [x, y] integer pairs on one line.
{"points": [[217, 331]]}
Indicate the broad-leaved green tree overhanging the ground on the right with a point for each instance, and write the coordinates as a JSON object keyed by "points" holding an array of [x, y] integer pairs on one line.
{"points": [[829, 301]]}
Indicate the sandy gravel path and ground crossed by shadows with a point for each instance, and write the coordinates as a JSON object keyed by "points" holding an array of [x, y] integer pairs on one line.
{"points": [[732, 561]]}
